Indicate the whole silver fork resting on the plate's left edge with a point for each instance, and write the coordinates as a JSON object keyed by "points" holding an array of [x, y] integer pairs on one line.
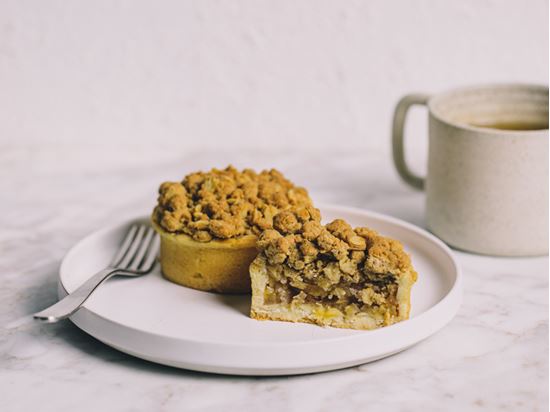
{"points": [[136, 256]]}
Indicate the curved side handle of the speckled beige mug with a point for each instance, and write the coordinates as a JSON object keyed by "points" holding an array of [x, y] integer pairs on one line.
{"points": [[399, 117]]}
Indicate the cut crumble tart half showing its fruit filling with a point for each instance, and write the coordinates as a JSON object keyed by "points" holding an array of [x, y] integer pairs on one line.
{"points": [[330, 275]]}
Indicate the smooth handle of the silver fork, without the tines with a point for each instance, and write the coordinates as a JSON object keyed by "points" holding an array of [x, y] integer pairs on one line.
{"points": [[73, 301]]}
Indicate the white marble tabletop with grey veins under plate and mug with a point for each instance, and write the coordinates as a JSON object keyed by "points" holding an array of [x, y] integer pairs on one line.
{"points": [[492, 356]]}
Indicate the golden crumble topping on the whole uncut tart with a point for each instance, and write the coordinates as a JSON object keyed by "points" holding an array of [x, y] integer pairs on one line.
{"points": [[224, 204]]}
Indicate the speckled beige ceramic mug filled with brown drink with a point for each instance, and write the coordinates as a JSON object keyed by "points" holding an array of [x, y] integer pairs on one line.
{"points": [[487, 180]]}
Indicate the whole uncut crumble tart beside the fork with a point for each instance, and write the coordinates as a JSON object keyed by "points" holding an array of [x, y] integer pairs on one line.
{"points": [[209, 224]]}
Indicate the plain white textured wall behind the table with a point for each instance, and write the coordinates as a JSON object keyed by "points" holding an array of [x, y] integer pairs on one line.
{"points": [[209, 74]]}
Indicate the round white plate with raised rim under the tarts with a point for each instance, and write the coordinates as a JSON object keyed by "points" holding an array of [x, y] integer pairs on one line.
{"points": [[159, 321]]}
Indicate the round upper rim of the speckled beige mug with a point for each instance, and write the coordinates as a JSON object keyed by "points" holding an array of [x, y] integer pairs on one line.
{"points": [[433, 100]]}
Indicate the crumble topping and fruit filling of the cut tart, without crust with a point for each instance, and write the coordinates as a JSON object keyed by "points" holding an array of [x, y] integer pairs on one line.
{"points": [[349, 269]]}
